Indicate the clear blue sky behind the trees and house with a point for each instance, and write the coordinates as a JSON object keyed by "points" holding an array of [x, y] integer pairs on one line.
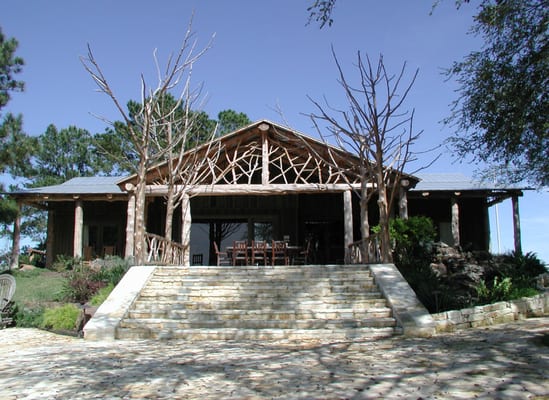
{"points": [[263, 58]]}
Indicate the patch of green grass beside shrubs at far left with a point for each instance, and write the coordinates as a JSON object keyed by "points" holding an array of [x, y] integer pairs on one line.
{"points": [[38, 286]]}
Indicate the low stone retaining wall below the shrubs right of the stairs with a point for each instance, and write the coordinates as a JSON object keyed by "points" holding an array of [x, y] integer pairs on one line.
{"points": [[491, 314]]}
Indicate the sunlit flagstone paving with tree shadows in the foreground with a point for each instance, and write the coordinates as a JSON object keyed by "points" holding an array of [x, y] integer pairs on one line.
{"points": [[508, 361]]}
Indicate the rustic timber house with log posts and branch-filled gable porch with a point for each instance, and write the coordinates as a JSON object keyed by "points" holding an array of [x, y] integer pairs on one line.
{"points": [[263, 181]]}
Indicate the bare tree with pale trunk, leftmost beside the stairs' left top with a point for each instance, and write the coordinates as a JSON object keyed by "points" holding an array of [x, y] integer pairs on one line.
{"points": [[149, 121]]}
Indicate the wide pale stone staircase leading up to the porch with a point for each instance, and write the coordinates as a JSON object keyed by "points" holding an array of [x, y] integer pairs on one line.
{"points": [[259, 303]]}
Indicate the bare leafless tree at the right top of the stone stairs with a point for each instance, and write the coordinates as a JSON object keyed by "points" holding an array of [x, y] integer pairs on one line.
{"points": [[378, 131]]}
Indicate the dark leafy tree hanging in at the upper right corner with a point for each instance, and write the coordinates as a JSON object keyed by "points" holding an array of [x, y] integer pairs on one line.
{"points": [[501, 113]]}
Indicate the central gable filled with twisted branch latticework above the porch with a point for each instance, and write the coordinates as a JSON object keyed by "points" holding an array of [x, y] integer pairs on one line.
{"points": [[293, 157]]}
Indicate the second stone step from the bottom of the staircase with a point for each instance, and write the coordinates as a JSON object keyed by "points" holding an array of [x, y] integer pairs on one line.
{"points": [[244, 315]]}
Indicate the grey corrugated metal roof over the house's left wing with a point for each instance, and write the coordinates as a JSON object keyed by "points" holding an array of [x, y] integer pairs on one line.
{"points": [[81, 185]]}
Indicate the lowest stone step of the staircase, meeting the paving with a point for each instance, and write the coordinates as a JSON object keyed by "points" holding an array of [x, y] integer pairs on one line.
{"points": [[356, 334]]}
